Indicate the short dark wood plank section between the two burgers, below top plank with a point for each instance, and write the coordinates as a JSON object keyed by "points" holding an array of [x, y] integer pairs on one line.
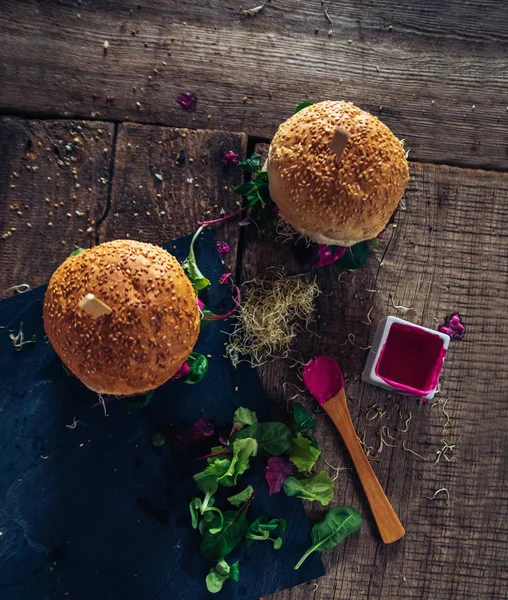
{"points": [[156, 196]]}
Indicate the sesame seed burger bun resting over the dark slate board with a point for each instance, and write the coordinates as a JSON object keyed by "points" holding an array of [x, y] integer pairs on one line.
{"points": [[152, 327]]}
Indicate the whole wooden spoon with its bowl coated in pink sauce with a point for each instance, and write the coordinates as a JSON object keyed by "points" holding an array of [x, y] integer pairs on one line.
{"points": [[323, 378]]}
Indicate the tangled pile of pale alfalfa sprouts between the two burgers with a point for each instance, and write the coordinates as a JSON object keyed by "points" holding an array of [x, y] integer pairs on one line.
{"points": [[275, 308]]}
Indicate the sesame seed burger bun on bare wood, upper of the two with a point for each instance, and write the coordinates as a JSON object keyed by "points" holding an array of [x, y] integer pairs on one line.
{"points": [[336, 199]]}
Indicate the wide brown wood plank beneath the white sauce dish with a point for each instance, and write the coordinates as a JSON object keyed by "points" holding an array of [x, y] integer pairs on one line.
{"points": [[448, 251]]}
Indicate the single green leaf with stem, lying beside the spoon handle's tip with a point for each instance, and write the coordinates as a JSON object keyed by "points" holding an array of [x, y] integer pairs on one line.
{"points": [[338, 523]]}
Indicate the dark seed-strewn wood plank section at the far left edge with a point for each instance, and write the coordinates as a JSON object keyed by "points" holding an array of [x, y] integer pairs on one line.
{"points": [[54, 183]]}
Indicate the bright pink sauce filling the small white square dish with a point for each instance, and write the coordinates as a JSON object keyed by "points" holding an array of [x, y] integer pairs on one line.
{"points": [[411, 359]]}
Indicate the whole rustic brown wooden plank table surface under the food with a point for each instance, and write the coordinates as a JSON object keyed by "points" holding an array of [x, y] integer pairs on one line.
{"points": [[88, 148]]}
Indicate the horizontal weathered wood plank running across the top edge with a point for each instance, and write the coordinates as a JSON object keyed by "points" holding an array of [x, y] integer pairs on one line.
{"points": [[437, 69]]}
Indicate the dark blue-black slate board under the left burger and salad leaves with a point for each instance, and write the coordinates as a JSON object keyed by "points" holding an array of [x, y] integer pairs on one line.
{"points": [[97, 511]]}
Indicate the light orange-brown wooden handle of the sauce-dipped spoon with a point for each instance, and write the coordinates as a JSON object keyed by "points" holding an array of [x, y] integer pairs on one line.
{"points": [[389, 526]]}
